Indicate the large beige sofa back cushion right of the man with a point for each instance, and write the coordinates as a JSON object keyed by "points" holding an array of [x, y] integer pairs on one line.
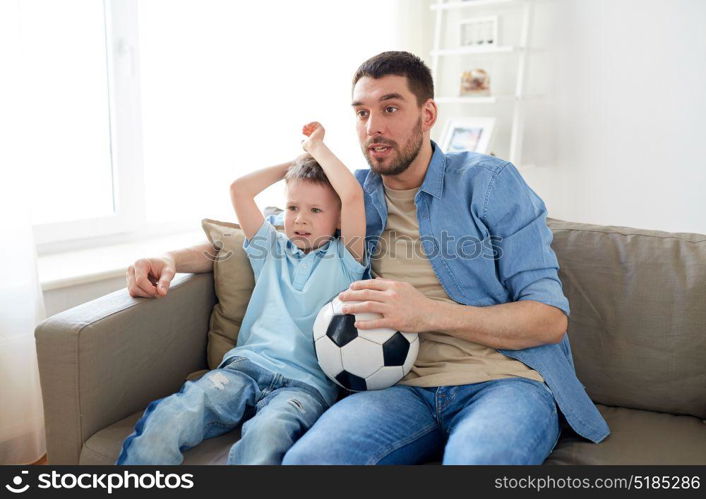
{"points": [[638, 320]]}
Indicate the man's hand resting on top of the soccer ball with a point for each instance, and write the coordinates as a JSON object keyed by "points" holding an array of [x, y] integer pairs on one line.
{"points": [[402, 307]]}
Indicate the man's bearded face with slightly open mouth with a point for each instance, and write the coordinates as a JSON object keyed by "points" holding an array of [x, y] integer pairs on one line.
{"points": [[389, 123]]}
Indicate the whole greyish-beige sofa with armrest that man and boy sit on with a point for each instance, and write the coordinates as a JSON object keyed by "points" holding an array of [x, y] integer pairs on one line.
{"points": [[637, 328]]}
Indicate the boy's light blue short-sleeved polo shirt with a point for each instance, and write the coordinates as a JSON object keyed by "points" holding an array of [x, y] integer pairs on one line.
{"points": [[290, 289]]}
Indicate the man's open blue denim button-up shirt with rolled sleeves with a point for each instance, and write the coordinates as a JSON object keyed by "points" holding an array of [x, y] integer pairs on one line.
{"points": [[485, 234]]}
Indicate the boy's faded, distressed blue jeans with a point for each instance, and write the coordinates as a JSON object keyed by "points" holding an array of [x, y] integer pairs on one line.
{"points": [[278, 411]]}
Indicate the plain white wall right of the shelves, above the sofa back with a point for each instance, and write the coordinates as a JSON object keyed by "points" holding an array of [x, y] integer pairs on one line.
{"points": [[626, 143]]}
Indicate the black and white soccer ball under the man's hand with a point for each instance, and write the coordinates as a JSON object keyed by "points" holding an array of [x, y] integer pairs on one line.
{"points": [[360, 360]]}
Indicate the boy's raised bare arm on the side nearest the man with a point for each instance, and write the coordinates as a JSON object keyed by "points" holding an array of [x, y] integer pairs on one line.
{"points": [[345, 185]]}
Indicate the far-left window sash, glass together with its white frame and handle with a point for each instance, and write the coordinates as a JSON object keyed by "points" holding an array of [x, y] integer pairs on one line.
{"points": [[79, 79]]}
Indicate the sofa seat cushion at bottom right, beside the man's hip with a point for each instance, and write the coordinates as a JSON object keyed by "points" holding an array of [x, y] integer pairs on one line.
{"points": [[638, 437]]}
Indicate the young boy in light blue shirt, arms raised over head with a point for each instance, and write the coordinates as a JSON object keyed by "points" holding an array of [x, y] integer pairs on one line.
{"points": [[271, 379]]}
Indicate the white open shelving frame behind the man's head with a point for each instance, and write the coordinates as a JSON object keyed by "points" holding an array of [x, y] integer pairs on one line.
{"points": [[441, 53]]}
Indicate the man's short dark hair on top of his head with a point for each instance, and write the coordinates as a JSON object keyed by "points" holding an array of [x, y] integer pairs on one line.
{"points": [[398, 63]]}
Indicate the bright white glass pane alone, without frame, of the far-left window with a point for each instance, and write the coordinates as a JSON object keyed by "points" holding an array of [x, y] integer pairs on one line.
{"points": [[65, 89]]}
